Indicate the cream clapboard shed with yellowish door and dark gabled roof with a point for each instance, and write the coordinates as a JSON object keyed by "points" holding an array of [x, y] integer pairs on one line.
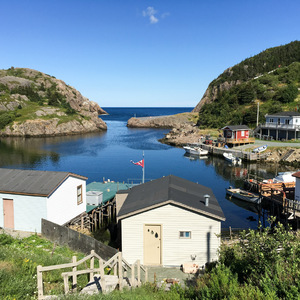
{"points": [[170, 221]]}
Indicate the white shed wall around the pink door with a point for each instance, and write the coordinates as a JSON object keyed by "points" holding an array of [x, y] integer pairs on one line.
{"points": [[28, 211]]}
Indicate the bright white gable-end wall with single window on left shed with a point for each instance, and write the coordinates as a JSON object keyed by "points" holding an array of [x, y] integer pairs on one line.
{"points": [[62, 204]]}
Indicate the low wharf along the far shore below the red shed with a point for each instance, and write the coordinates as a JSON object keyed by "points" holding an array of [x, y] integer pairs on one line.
{"points": [[244, 155]]}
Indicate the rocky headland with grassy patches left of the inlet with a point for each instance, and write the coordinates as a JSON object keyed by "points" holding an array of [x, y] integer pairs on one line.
{"points": [[36, 104]]}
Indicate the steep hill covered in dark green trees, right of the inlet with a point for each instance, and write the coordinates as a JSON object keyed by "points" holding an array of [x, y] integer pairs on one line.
{"points": [[271, 78]]}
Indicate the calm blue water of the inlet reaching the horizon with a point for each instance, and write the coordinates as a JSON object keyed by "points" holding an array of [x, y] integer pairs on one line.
{"points": [[107, 155]]}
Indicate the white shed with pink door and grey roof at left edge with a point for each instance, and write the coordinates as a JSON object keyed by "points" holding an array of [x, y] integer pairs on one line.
{"points": [[27, 196]]}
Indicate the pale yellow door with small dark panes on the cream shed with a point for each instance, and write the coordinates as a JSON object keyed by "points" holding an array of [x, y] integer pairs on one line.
{"points": [[152, 244]]}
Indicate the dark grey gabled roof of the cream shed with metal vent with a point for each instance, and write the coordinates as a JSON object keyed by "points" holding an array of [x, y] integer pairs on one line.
{"points": [[171, 190]]}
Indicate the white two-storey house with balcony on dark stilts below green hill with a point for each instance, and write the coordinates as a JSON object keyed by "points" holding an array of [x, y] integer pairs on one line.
{"points": [[283, 125]]}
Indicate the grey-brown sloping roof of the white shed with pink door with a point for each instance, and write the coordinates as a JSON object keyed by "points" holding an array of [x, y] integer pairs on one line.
{"points": [[30, 182]]}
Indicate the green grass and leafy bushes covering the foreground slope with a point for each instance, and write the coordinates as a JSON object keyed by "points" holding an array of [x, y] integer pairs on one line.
{"points": [[255, 265]]}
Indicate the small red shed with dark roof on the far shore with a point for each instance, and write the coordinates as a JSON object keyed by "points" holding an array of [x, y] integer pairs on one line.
{"points": [[237, 134]]}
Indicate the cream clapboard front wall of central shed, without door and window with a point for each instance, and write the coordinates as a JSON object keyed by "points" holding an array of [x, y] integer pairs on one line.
{"points": [[175, 251]]}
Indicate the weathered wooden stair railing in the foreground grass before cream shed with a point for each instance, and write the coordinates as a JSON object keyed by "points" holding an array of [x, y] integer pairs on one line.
{"points": [[118, 264]]}
